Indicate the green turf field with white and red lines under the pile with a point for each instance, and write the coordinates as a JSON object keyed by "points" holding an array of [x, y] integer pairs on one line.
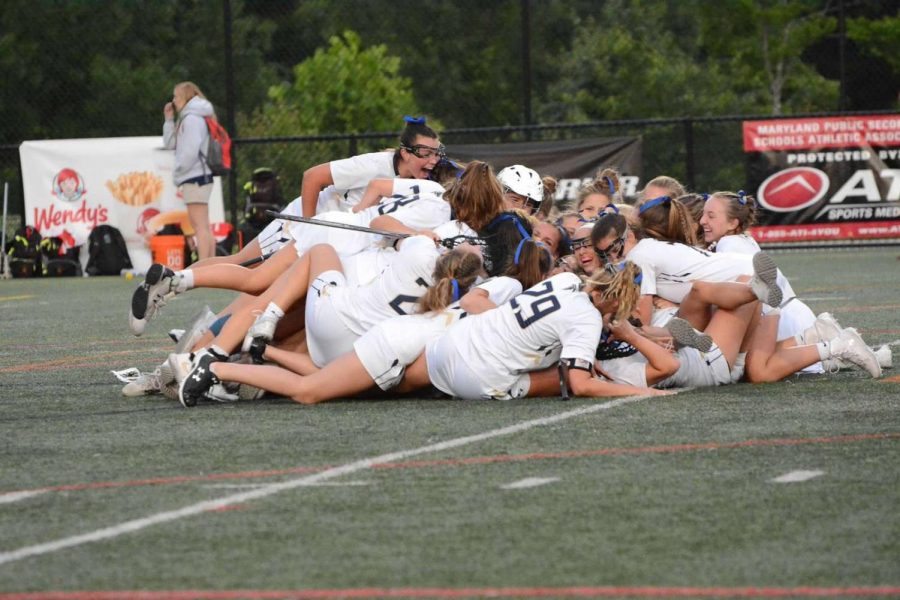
{"points": [[788, 489]]}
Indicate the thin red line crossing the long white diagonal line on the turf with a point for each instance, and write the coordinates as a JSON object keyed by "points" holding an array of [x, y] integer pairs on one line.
{"points": [[473, 460]]}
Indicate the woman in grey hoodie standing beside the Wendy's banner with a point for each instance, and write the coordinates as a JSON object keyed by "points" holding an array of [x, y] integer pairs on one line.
{"points": [[189, 136]]}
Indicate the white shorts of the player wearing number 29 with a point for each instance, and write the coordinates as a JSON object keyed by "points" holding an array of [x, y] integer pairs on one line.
{"points": [[450, 374]]}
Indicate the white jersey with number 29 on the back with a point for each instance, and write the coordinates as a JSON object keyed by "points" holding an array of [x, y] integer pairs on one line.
{"points": [[554, 315]]}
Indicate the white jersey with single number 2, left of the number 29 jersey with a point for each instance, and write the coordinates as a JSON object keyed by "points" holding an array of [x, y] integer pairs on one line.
{"points": [[395, 292]]}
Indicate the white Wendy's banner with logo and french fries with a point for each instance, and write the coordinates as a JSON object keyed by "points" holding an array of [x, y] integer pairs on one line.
{"points": [[74, 185]]}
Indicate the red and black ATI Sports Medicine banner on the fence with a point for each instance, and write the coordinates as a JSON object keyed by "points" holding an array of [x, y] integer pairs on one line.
{"points": [[828, 178]]}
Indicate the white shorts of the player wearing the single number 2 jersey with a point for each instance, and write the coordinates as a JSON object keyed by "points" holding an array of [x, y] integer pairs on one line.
{"points": [[326, 334]]}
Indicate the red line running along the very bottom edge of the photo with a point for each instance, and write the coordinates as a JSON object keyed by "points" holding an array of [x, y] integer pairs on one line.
{"points": [[470, 592]]}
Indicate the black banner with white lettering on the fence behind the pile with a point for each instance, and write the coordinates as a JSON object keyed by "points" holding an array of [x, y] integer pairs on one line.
{"points": [[571, 162]]}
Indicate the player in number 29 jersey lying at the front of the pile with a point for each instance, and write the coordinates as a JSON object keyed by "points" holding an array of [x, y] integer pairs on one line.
{"points": [[504, 353]]}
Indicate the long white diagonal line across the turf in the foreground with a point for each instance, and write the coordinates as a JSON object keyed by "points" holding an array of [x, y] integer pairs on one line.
{"points": [[210, 505]]}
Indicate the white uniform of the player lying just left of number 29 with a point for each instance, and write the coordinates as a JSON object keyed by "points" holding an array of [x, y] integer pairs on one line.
{"points": [[387, 348]]}
